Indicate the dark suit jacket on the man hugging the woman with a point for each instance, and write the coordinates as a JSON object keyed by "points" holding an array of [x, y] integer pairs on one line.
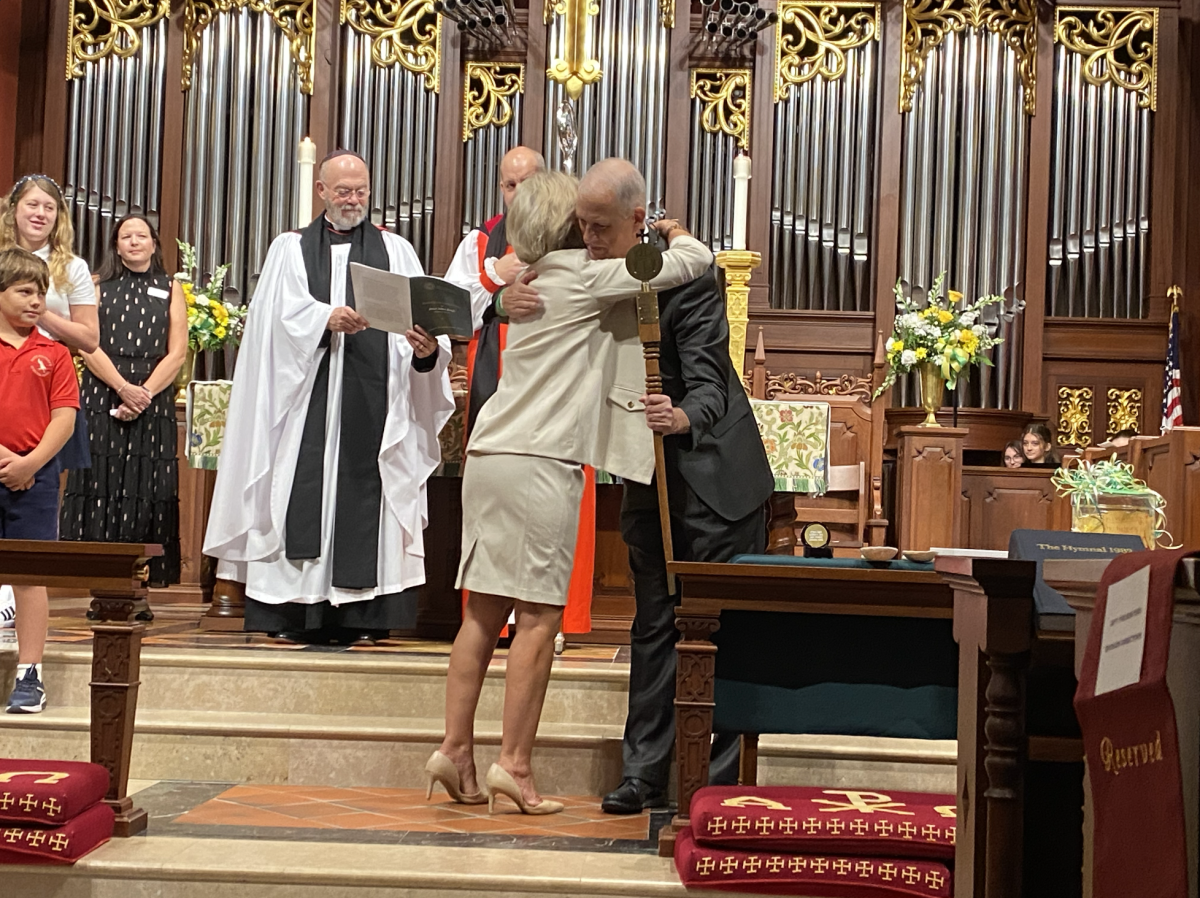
{"points": [[722, 459]]}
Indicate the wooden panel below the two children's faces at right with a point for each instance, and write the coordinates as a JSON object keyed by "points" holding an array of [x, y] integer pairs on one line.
{"points": [[998, 501]]}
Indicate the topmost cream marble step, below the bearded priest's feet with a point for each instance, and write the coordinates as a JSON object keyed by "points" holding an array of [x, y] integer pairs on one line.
{"points": [[287, 683]]}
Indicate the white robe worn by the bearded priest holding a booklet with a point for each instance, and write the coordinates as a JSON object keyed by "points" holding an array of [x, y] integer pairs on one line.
{"points": [[272, 388]]}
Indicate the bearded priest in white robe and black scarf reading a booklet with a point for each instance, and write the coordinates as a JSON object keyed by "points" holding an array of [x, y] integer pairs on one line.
{"points": [[333, 430]]}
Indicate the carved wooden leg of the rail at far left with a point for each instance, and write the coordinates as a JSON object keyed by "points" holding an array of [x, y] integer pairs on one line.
{"points": [[116, 670]]}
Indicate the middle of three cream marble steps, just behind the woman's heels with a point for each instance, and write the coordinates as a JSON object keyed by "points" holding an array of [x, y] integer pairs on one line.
{"points": [[391, 752]]}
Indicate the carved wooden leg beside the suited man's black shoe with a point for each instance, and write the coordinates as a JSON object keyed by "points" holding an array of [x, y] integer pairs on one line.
{"points": [[695, 701]]}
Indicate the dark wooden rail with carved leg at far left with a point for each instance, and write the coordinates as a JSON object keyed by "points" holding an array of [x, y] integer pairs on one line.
{"points": [[116, 577]]}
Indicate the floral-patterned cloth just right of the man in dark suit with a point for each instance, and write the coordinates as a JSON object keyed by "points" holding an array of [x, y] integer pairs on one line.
{"points": [[796, 436]]}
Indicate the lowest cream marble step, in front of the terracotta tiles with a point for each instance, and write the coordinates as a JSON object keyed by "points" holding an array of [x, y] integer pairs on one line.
{"points": [[164, 867]]}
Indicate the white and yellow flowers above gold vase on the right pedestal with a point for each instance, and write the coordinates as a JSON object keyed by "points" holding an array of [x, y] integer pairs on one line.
{"points": [[941, 334]]}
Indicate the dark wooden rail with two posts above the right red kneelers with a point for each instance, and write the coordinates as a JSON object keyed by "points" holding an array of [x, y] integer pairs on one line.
{"points": [[992, 606]]}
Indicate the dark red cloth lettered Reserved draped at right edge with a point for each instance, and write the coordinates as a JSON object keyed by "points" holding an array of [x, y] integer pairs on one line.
{"points": [[1130, 738]]}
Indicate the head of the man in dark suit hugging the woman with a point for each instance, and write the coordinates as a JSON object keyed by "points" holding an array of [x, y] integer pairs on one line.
{"points": [[611, 208]]}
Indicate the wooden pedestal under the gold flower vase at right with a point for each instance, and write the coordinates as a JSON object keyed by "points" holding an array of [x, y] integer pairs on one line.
{"points": [[929, 489]]}
